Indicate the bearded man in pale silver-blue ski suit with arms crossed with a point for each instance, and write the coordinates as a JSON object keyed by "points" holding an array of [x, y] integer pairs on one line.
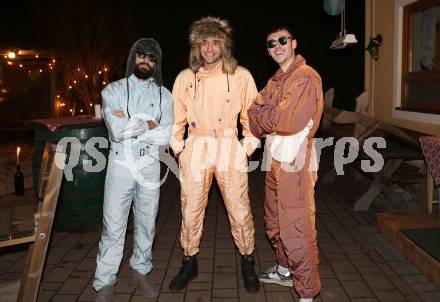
{"points": [[138, 112]]}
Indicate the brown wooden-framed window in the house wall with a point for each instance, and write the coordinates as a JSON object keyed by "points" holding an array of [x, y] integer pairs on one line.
{"points": [[420, 89]]}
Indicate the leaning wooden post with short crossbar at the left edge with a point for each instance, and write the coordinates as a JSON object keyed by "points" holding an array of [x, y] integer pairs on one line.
{"points": [[50, 178]]}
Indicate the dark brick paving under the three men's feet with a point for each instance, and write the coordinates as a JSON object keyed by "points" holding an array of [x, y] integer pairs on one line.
{"points": [[357, 264]]}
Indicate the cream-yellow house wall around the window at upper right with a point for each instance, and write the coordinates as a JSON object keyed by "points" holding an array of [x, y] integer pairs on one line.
{"points": [[382, 77]]}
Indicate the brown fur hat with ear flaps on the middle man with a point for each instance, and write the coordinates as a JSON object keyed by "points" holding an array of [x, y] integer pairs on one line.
{"points": [[211, 27]]}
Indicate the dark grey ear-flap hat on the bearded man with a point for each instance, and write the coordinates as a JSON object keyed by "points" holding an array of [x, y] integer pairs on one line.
{"points": [[150, 46]]}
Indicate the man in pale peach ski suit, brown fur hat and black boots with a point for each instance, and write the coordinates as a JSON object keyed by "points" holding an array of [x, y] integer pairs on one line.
{"points": [[209, 96]]}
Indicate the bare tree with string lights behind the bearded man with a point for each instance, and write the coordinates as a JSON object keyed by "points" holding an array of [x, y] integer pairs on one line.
{"points": [[91, 37]]}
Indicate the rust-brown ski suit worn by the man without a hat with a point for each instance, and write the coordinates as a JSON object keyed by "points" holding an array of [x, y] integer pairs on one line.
{"points": [[291, 99]]}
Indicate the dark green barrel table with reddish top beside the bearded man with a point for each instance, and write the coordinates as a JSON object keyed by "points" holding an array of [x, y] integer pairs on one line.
{"points": [[80, 201]]}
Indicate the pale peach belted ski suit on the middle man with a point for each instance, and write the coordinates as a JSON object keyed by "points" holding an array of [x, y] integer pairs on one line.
{"points": [[209, 102]]}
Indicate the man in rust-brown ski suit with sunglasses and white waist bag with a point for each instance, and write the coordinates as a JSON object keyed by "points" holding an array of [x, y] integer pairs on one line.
{"points": [[290, 106]]}
